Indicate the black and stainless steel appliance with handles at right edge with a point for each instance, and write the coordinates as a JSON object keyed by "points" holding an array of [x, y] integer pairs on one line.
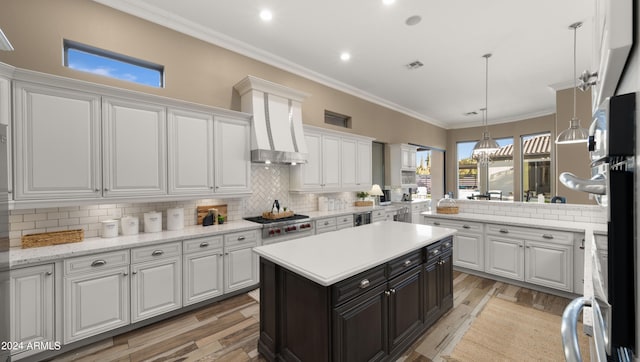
{"points": [[612, 150]]}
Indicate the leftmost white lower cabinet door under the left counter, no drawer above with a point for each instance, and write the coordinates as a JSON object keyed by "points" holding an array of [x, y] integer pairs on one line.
{"points": [[32, 316]]}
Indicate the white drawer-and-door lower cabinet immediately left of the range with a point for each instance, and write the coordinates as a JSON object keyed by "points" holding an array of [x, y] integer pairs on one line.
{"points": [[240, 262]]}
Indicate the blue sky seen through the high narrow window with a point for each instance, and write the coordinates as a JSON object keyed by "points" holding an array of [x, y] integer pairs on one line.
{"points": [[101, 65]]}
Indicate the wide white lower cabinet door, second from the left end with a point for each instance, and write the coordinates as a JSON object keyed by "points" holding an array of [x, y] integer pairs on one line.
{"points": [[95, 302]]}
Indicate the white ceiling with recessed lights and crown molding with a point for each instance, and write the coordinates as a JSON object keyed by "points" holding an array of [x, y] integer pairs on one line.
{"points": [[531, 44]]}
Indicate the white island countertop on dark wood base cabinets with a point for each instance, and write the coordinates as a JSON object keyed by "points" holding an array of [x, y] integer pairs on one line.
{"points": [[331, 257]]}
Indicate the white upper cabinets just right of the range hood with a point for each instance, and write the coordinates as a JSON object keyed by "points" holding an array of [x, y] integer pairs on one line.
{"points": [[336, 162]]}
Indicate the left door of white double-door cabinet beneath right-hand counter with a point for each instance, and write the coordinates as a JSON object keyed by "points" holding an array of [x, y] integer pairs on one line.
{"points": [[505, 257]]}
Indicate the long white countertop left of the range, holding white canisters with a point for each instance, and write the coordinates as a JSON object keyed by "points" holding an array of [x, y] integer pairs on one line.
{"points": [[20, 257]]}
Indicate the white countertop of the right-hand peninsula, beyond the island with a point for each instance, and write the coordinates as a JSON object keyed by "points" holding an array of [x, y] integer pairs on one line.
{"points": [[521, 221]]}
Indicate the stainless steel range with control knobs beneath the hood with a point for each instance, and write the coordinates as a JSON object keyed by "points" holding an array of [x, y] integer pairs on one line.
{"points": [[277, 230]]}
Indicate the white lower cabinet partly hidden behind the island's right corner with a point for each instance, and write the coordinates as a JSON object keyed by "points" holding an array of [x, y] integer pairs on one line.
{"points": [[468, 242]]}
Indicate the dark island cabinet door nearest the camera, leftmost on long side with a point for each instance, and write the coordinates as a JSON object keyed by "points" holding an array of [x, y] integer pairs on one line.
{"points": [[360, 329]]}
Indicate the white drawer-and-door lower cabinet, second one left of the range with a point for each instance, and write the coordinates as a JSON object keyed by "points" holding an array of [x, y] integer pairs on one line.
{"points": [[202, 269]]}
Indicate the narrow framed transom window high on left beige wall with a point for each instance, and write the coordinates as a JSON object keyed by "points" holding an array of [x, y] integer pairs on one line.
{"points": [[86, 58]]}
